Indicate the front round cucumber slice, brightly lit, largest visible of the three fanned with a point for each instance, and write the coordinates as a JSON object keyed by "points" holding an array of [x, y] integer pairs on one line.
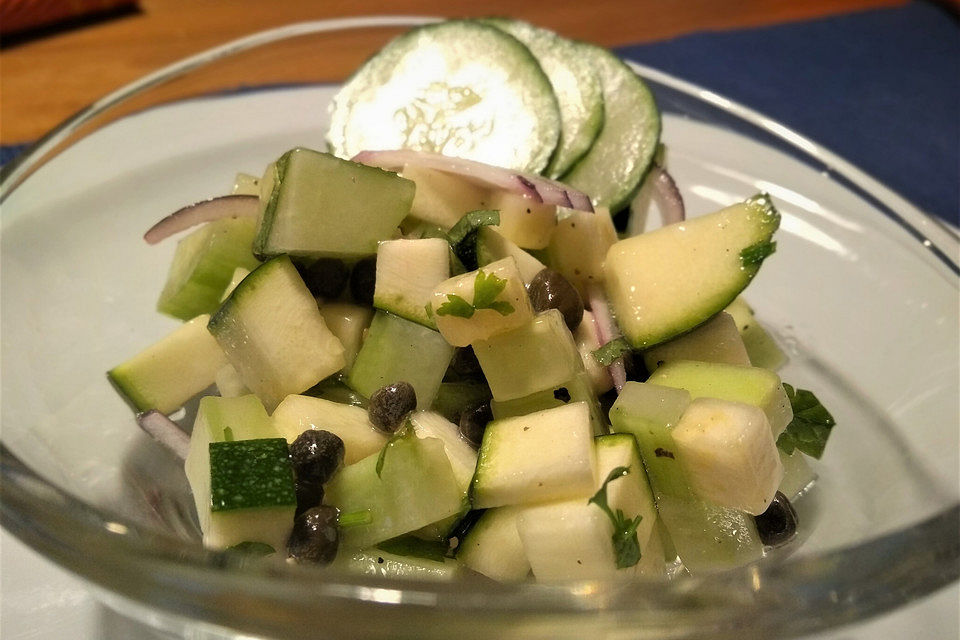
{"points": [[460, 88]]}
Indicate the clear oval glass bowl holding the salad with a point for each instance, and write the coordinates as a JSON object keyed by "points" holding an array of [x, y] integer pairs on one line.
{"points": [[862, 294]]}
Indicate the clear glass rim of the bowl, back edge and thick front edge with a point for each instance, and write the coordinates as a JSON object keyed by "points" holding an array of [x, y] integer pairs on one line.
{"points": [[144, 564]]}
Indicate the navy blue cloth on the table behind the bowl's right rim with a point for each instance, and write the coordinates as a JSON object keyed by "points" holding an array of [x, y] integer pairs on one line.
{"points": [[880, 88]]}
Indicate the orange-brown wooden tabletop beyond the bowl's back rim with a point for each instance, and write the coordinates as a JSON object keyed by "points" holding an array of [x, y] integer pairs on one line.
{"points": [[45, 79]]}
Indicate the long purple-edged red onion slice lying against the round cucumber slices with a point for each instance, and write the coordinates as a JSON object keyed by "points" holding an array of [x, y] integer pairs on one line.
{"points": [[533, 186]]}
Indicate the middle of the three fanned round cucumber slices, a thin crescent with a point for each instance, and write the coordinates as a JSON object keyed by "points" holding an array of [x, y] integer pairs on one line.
{"points": [[575, 83]]}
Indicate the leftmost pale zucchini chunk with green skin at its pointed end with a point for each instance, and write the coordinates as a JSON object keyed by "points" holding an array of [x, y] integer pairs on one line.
{"points": [[168, 373]]}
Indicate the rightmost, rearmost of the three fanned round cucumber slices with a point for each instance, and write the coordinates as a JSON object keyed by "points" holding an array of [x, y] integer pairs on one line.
{"points": [[612, 169]]}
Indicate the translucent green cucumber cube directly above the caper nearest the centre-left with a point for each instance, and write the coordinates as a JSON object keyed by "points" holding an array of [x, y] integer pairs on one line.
{"points": [[399, 350]]}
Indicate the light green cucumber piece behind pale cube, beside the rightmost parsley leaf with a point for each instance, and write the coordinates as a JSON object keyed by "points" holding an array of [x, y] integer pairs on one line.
{"points": [[749, 385]]}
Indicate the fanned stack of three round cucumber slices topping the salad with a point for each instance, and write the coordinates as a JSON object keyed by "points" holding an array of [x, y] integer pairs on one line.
{"points": [[509, 94]]}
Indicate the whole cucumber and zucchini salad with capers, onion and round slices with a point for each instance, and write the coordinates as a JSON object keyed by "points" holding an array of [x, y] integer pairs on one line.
{"points": [[446, 346]]}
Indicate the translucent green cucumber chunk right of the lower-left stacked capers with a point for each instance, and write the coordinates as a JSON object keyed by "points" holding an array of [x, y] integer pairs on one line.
{"points": [[415, 487]]}
